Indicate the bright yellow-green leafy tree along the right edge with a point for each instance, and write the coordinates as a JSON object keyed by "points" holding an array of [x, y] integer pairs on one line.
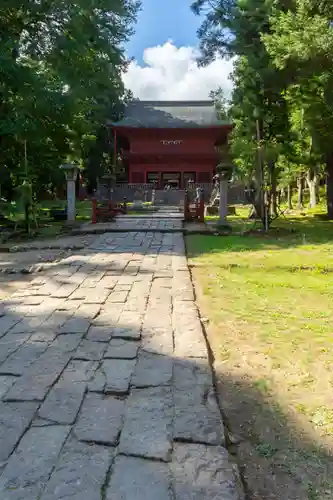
{"points": [[301, 43]]}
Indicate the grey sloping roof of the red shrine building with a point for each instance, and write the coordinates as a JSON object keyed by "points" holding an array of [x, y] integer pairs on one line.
{"points": [[170, 114]]}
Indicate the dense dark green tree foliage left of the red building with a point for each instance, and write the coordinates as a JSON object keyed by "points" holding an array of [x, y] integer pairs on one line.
{"points": [[60, 79]]}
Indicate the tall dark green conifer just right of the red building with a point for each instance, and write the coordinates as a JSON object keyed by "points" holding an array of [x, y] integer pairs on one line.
{"points": [[234, 28]]}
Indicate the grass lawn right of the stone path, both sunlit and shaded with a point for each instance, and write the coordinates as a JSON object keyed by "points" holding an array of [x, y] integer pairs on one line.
{"points": [[269, 301]]}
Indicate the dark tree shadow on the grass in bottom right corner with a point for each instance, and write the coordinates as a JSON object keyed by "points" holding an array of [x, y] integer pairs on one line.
{"points": [[278, 460]]}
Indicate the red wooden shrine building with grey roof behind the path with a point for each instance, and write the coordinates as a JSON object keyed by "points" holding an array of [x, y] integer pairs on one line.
{"points": [[170, 142]]}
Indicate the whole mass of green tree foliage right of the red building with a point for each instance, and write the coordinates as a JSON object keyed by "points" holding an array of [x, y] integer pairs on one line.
{"points": [[282, 103]]}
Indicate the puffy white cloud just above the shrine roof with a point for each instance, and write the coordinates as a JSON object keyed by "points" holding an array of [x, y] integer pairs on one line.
{"points": [[172, 73]]}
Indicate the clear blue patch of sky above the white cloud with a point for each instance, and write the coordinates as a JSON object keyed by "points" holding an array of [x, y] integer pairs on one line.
{"points": [[161, 20]]}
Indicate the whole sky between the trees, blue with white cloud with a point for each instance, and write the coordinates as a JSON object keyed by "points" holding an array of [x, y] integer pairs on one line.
{"points": [[164, 48]]}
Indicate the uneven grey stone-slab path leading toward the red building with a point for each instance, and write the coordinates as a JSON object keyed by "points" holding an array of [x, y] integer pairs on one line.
{"points": [[105, 386]]}
